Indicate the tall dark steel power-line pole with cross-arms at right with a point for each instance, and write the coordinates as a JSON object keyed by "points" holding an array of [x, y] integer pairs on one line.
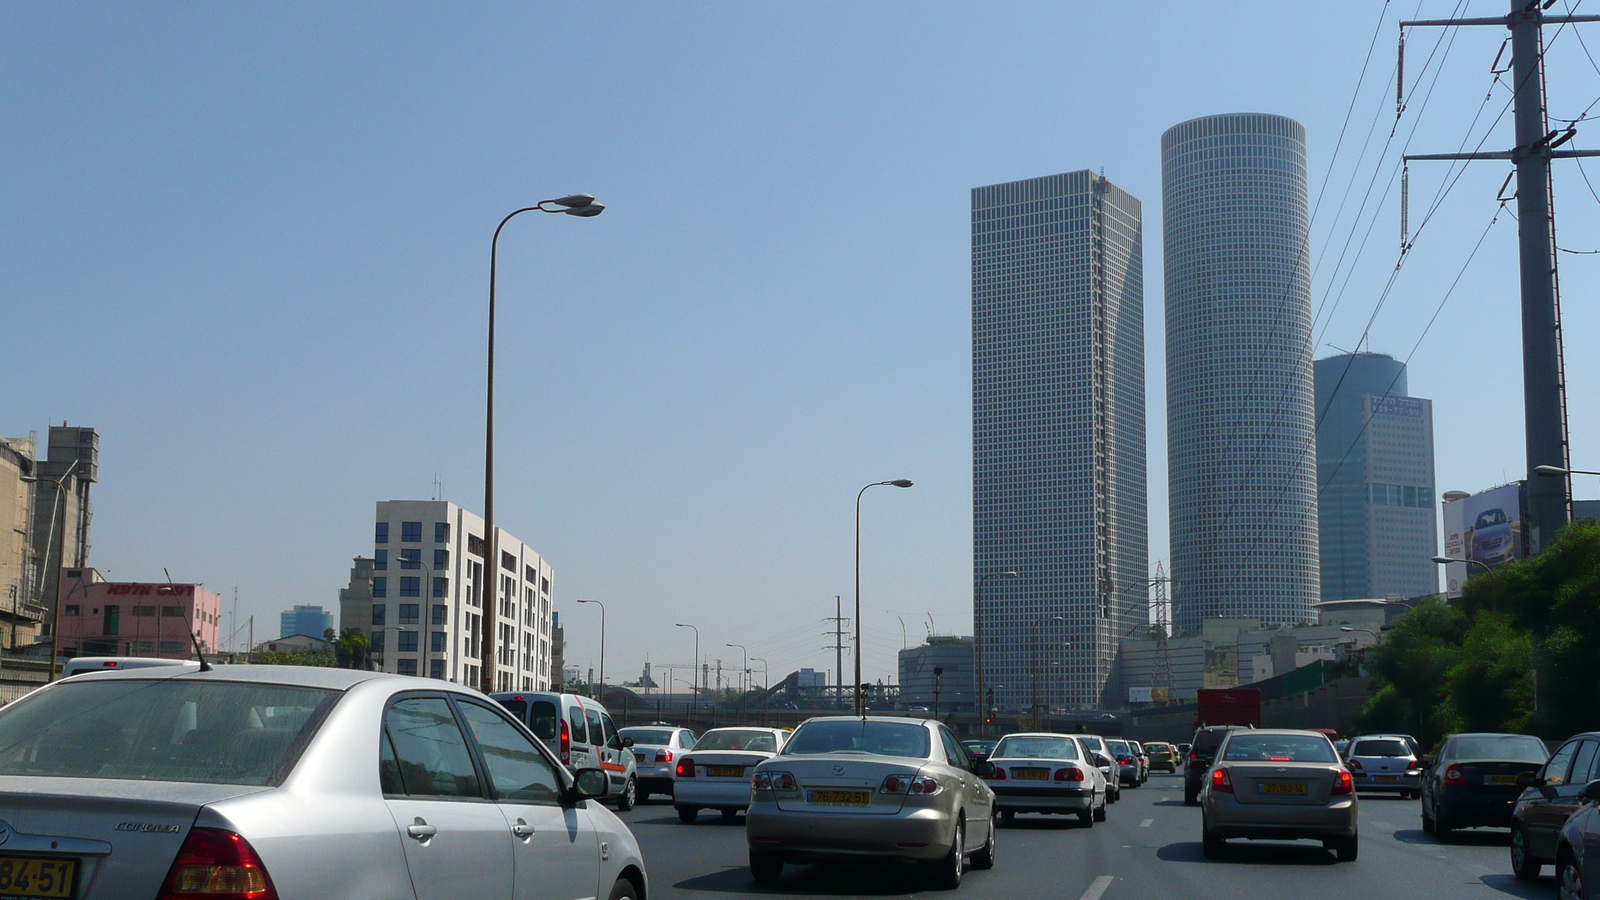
{"points": [[1543, 372]]}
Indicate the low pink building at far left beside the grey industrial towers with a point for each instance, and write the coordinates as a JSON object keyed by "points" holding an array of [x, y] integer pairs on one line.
{"points": [[122, 619]]}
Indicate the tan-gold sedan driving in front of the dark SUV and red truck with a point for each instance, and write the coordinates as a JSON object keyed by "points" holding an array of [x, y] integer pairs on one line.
{"points": [[1279, 785]]}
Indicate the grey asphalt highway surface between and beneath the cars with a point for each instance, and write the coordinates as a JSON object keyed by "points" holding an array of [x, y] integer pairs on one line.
{"points": [[1150, 848]]}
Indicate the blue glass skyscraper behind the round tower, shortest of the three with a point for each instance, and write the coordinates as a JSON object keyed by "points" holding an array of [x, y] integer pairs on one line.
{"points": [[1375, 467]]}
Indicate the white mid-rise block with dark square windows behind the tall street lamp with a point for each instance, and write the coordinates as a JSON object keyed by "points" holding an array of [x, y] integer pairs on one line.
{"points": [[426, 611]]}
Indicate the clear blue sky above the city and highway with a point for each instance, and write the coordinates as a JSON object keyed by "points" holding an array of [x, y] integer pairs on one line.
{"points": [[250, 244]]}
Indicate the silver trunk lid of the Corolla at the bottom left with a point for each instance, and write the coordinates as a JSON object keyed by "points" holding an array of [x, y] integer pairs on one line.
{"points": [[122, 835]]}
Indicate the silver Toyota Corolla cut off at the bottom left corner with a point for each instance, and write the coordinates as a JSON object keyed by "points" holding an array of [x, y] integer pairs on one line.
{"points": [[287, 784]]}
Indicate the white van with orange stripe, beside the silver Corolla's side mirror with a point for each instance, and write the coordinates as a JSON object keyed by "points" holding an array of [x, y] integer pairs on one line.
{"points": [[580, 733]]}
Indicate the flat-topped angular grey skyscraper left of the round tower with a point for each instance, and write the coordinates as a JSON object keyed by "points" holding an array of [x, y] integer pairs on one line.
{"points": [[1058, 438]]}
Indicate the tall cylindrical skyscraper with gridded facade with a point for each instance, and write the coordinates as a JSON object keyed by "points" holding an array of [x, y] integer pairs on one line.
{"points": [[1241, 433]]}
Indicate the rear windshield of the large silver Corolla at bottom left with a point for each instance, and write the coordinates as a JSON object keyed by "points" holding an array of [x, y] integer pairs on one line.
{"points": [[214, 733]]}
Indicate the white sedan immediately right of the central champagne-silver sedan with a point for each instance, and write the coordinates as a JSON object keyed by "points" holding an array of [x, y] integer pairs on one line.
{"points": [[1050, 774]]}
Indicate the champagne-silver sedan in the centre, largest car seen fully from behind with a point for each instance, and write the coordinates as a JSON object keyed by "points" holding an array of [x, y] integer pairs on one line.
{"points": [[871, 789]]}
